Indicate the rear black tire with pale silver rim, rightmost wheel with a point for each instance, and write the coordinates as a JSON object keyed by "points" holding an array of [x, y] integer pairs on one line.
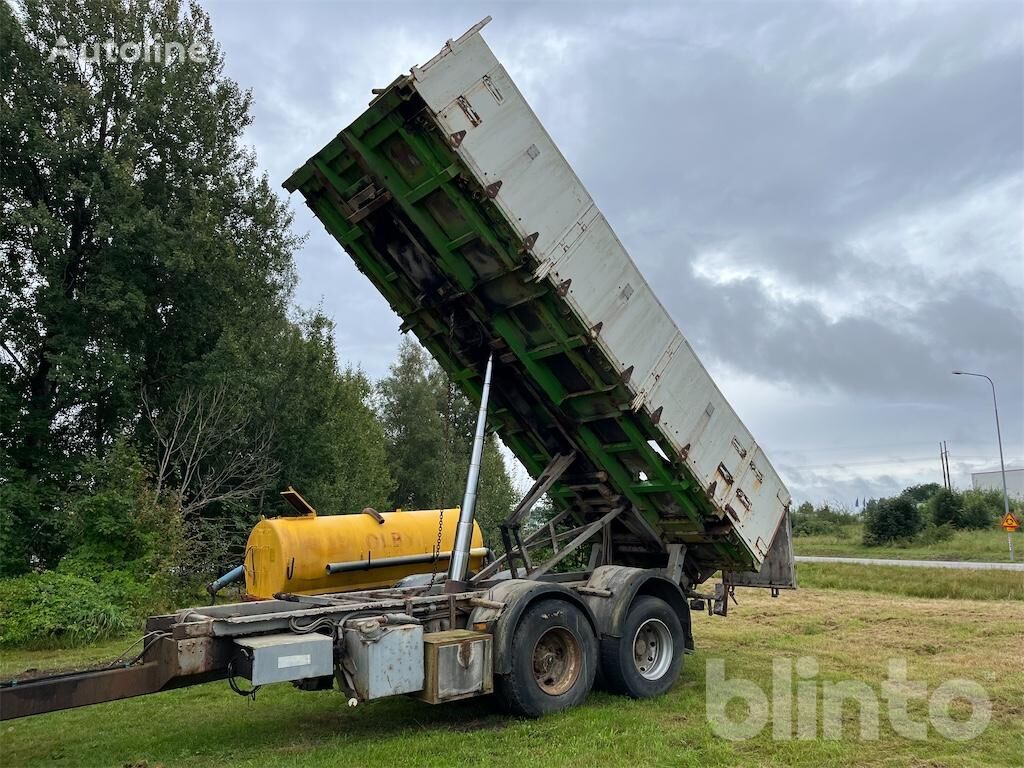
{"points": [[625, 670]]}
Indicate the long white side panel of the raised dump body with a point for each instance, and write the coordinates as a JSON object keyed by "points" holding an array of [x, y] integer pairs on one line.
{"points": [[470, 91]]}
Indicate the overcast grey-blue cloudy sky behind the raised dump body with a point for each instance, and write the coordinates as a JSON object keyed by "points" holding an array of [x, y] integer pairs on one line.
{"points": [[829, 199]]}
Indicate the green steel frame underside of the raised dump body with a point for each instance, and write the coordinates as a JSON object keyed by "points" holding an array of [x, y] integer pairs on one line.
{"points": [[392, 190]]}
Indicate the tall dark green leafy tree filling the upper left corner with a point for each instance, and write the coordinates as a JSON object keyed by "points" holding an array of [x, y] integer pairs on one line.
{"points": [[136, 234]]}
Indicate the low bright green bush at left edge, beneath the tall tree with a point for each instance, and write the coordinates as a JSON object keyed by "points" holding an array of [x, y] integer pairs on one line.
{"points": [[60, 609]]}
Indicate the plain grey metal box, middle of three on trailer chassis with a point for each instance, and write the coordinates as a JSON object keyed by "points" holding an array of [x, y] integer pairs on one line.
{"points": [[386, 662]]}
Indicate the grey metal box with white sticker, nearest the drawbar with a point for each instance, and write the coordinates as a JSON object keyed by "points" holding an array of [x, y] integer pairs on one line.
{"points": [[283, 658]]}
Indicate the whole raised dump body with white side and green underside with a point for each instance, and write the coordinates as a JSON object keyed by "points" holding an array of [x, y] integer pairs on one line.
{"points": [[452, 198]]}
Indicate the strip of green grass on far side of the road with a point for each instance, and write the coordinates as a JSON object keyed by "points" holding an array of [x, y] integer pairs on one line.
{"points": [[976, 546]]}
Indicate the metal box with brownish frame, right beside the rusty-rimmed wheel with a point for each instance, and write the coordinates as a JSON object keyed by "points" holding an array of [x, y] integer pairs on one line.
{"points": [[459, 665]]}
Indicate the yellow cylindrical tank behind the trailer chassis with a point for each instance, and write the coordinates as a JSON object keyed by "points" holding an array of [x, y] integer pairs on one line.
{"points": [[291, 554]]}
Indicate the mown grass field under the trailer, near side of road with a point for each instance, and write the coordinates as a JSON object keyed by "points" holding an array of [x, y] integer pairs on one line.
{"points": [[851, 635]]}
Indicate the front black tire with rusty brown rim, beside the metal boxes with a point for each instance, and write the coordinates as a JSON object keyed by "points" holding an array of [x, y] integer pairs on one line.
{"points": [[554, 659]]}
